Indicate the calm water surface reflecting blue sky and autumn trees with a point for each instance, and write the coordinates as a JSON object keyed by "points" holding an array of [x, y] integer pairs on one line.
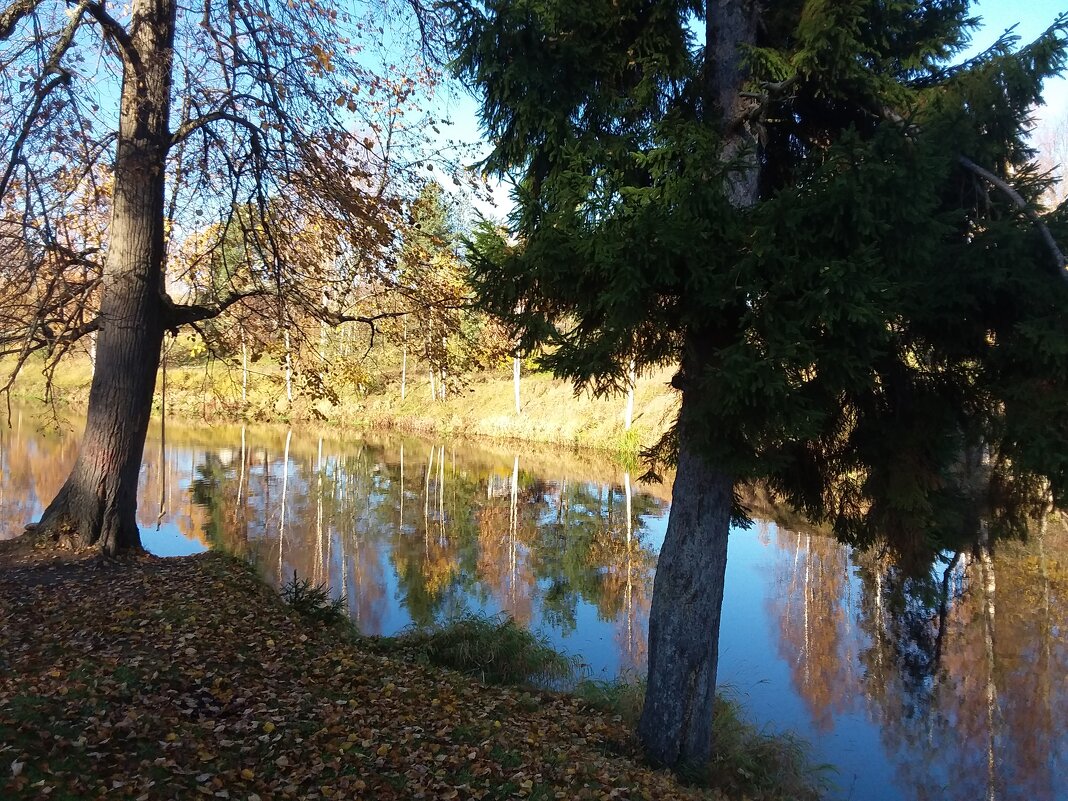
{"points": [[950, 688]]}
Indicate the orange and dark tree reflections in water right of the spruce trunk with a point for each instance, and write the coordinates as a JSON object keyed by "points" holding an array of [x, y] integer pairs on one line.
{"points": [[962, 668]]}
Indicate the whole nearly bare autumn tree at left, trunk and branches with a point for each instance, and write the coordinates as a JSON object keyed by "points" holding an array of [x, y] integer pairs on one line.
{"points": [[196, 114]]}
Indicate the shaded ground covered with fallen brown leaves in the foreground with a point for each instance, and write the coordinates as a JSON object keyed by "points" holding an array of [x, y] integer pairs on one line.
{"points": [[184, 679]]}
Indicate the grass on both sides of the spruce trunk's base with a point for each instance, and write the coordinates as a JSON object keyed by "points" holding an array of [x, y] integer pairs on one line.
{"points": [[747, 762]]}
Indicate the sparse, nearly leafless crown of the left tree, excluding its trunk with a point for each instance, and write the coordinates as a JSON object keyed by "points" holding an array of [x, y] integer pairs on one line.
{"points": [[305, 128]]}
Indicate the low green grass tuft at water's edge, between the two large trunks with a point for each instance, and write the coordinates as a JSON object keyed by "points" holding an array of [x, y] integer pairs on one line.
{"points": [[495, 649]]}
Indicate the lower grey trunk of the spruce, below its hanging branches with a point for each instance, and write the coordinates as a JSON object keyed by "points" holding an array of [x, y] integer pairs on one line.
{"points": [[677, 725]]}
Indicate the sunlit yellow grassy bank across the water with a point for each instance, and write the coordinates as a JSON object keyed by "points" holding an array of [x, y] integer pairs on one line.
{"points": [[484, 406]]}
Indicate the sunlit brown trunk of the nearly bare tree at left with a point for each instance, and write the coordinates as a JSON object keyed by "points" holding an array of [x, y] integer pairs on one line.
{"points": [[98, 505]]}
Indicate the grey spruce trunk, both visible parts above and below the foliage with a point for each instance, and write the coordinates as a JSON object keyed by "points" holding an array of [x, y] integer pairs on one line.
{"points": [[677, 726]]}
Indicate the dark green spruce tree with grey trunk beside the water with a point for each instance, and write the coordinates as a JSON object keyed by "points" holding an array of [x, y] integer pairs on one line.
{"points": [[827, 223]]}
